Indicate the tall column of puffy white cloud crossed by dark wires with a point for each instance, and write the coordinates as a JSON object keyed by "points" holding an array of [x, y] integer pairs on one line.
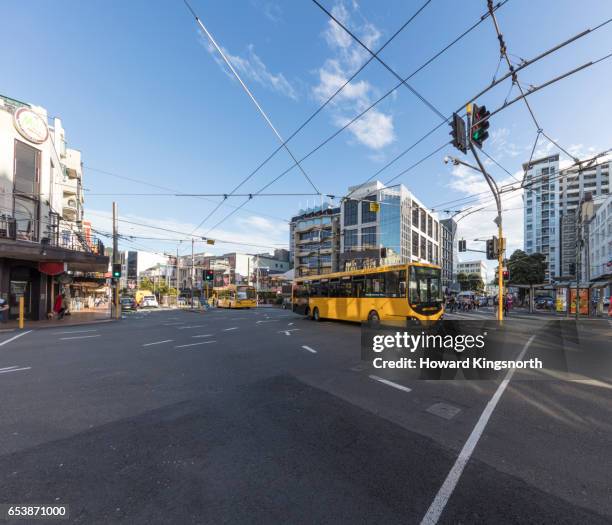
{"points": [[375, 129]]}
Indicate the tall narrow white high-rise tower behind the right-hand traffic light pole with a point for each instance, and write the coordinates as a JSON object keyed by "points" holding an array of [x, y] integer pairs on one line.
{"points": [[541, 212]]}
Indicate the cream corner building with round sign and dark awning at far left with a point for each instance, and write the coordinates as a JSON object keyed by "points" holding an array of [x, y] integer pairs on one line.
{"points": [[41, 210]]}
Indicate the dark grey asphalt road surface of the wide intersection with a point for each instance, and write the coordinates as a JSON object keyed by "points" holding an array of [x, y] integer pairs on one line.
{"points": [[261, 416]]}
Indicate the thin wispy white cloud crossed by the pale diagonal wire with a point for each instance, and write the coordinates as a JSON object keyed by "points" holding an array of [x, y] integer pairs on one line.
{"points": [[252, 67]]}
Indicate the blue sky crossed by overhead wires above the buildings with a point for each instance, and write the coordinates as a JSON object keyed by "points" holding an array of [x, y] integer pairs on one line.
{"points": [[141, 95]]}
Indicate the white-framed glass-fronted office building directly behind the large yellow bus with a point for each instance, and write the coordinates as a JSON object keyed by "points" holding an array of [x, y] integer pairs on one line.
{"points": [[386, 225]]}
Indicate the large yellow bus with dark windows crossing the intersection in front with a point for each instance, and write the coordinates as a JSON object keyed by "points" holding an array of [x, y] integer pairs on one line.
{"points": [[400, 292]]}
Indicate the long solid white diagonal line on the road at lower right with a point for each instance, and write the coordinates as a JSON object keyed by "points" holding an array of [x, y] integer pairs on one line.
{"points": [[446, 490]]}
